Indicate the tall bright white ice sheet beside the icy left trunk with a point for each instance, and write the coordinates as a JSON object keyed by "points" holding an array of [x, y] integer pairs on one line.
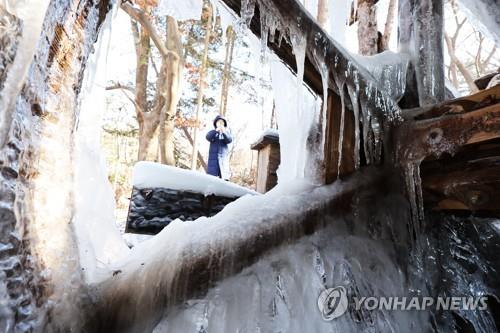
{"points": [[99, 240]]}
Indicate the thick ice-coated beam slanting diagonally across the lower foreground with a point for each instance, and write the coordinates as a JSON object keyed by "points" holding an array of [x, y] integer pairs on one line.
{"points": [[162, 281]]}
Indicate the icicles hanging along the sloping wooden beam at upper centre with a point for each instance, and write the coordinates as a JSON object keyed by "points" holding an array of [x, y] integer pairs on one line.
{"points": [[356, 88]]}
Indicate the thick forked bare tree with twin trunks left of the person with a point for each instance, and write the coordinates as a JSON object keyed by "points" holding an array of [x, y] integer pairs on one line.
{"points": [[159, 115]]}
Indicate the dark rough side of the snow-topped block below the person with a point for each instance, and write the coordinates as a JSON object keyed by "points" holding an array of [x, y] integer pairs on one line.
{"points": [[152, 209]]}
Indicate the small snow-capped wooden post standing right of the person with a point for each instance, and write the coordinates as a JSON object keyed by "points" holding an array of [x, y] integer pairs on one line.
{"points": [[268, 161]]}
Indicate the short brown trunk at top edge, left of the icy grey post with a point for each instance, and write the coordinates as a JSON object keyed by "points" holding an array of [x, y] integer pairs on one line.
{"points": [[367, 29]]}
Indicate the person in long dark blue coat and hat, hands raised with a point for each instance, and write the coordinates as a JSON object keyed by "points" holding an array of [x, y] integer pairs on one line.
{"points": [[218, 154]]}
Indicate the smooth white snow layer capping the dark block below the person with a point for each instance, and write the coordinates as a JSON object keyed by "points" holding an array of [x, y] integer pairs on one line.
{"points": [[149, 175]]}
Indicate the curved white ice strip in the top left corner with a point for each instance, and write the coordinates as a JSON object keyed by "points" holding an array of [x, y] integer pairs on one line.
{"points": [[31, 13]]}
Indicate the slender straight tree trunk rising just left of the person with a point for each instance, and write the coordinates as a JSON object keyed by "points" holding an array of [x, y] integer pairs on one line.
{"points": [[199, 100]]}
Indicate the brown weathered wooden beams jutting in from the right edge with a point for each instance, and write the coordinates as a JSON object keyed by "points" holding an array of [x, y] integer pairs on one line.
{"points": [[458, 144]]}
